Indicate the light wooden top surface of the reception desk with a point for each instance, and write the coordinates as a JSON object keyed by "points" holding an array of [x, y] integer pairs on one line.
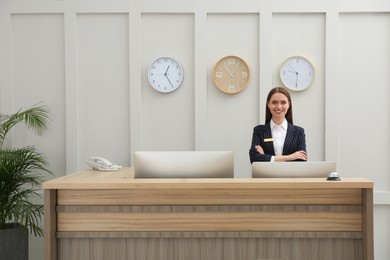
{"points": [[124, 179]]}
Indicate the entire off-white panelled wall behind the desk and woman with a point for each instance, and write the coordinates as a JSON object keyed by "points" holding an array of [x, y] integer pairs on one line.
{"points": [[87, 60]]}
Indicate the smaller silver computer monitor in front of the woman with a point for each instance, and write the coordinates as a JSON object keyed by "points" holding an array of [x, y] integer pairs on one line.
{"points": [[308, 169]]}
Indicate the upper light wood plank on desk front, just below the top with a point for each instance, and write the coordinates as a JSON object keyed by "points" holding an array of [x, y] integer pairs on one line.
{"points": [[220, 196]]}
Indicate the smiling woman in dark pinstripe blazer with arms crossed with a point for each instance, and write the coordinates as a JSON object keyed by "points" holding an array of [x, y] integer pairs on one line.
{"points": [[278, 140]]}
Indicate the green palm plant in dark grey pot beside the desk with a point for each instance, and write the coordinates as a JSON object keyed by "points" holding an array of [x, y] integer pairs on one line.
{"points": [[21, 174]]}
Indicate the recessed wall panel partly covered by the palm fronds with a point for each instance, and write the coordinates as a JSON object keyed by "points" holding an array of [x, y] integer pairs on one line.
{"points": [[38, 78]]}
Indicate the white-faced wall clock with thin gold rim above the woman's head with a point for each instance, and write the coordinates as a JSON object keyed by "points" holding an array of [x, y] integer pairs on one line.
{"points": [[297, 73]]}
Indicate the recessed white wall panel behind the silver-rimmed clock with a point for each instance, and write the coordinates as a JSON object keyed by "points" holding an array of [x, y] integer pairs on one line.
{"points": [[168, 119]]}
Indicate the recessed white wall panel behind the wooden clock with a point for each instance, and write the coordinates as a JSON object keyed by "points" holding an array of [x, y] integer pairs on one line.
{"points": [[231, 118]]}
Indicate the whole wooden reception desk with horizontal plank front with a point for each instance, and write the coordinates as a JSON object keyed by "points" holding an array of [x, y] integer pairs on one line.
{"points": [[109, 215]]}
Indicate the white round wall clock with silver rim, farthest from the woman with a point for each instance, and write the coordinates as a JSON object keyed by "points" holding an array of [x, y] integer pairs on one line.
{"points": [[165, 74]]}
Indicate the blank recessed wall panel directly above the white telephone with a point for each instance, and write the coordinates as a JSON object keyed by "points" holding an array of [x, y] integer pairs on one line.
{"points": [[103, 87]]}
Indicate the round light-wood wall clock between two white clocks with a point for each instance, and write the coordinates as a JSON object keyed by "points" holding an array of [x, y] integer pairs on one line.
{"points": [[231, 74]]}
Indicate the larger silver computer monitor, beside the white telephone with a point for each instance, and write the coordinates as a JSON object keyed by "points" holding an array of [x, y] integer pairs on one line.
{"points": [[183, 164]]}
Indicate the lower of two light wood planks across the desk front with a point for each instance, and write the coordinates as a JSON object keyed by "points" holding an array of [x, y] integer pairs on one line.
{"points": [[210, 221]]}
